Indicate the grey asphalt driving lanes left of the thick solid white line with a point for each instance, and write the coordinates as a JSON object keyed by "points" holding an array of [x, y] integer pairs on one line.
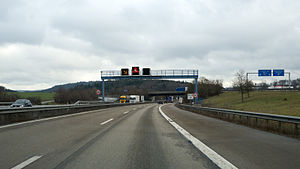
{"points": [[120, 137]]}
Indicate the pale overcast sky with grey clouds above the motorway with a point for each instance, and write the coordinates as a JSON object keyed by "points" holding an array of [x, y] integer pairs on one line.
{"points": [[46, 42]]}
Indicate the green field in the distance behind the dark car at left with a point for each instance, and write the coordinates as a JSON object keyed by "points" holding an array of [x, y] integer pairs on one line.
{"points": [[45, 96]]}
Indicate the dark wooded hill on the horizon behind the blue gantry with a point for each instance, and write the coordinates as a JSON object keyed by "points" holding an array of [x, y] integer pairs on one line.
{"points": [[116, 87]]}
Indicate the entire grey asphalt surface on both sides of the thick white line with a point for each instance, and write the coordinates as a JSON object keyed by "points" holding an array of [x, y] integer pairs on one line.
{"points": [[137, 136]]}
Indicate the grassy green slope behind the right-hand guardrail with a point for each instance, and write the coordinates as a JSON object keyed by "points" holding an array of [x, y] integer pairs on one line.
{"points": [[275, 102]]}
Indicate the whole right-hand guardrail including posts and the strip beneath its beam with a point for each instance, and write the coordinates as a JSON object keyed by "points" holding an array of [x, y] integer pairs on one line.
{"points": [[287, 125]]}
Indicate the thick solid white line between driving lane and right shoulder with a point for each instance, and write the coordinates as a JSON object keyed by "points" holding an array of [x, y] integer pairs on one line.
{"points": [[211, 154]]}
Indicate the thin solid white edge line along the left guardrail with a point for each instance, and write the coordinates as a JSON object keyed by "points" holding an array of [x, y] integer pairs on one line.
{"points": [[49, 118]]}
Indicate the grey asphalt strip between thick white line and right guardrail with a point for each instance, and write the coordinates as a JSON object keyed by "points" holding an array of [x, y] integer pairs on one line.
{"points": [[243, 146]]}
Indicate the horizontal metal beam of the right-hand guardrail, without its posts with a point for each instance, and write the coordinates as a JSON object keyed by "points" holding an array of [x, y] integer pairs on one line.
{"points": [[266, 116]]}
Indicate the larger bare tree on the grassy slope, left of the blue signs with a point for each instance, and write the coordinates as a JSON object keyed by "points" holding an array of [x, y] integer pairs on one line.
{"points": [[240, 82]]}
